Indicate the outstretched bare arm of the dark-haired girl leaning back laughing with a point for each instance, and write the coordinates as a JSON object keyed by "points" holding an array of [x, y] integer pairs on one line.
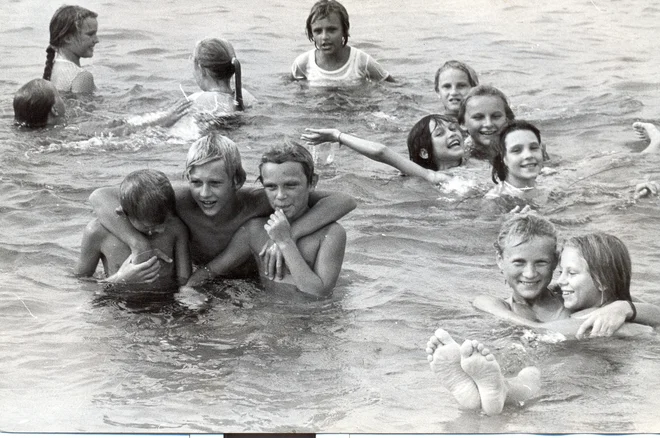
{"points": [[376, 151]]}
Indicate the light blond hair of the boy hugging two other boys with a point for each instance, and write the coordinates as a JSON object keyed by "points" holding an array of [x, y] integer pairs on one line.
{"points": [[215, 147]]}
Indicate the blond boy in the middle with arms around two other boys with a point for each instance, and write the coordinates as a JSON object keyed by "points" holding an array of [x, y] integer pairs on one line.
{"points": [[214, 205]]}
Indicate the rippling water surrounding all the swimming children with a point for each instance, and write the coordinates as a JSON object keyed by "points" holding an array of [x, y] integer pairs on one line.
{"points": [[74, 360]]}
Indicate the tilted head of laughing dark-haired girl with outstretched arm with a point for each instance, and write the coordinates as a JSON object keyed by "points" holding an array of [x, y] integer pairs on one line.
{"points": [[435, 140]]}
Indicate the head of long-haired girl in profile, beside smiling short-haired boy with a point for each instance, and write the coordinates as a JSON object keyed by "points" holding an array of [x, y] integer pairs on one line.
{"points": [[601, 258]]}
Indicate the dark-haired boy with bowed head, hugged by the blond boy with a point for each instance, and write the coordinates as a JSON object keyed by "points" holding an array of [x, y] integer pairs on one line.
{"points": [[146, 201]]}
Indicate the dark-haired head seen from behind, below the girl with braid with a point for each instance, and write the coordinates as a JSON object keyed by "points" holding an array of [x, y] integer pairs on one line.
{"points": [[33, 102]]}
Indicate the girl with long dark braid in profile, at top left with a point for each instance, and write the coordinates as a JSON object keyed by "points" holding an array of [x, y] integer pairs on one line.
{"points": [[72, 36]]}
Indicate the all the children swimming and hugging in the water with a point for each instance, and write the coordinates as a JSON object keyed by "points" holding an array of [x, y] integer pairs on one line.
{"points": [[149, 233]]}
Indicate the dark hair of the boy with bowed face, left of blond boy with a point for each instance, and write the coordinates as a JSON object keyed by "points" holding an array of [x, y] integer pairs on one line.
{"points": [[147, 195]]}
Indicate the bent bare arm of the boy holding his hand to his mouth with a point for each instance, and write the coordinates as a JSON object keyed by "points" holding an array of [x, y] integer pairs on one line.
{"points": [[320, 280]]}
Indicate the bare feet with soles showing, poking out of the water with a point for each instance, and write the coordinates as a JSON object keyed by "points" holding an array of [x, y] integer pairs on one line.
{"points": [[473, 376]]}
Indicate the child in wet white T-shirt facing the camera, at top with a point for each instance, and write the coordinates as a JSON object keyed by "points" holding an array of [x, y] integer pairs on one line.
{"points": [[333, 61]]}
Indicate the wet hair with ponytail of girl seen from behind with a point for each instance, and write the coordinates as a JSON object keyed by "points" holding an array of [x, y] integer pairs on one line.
{"points": [[218, 58]]}
